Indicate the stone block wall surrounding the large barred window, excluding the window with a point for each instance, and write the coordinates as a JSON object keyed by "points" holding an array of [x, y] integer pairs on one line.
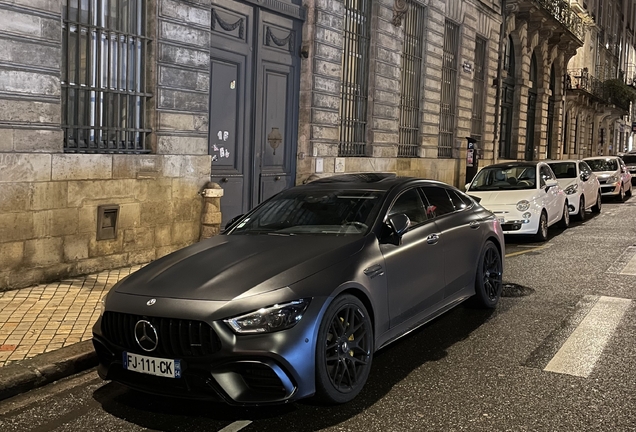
{"points": [[49, 199]]}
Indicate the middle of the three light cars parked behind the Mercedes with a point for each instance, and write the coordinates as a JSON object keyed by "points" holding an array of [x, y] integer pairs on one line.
{"points": [[580, 185]]}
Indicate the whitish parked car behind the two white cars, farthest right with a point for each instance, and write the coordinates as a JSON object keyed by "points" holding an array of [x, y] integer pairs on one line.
{"points": [[613, 176]]}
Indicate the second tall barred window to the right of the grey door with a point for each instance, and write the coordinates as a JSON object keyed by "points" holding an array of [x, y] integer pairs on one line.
{"points": [[410, 118]]}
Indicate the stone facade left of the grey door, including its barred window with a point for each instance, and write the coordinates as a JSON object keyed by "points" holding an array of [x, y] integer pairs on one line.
{"points": [[75, 135]]}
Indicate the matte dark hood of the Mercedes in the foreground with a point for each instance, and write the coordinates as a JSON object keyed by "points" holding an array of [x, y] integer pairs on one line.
{"points": [[225, 267]]}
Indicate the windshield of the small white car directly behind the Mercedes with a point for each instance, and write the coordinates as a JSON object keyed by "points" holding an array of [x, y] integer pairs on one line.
{"points": [[505, 178]]}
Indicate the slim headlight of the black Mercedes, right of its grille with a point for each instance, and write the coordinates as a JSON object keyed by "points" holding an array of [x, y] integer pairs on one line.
{"points": [[270, 319]]}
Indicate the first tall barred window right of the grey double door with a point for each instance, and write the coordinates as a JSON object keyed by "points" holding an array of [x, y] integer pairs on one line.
{"points": [[355, 78]]}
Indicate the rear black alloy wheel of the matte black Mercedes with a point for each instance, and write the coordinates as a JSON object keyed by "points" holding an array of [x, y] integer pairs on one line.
{"points": [[488, 282]]}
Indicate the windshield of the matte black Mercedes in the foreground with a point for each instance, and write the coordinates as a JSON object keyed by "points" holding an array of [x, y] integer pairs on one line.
{"points": [[311, 211]]}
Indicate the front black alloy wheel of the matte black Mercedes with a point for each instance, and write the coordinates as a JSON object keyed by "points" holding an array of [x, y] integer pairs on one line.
{"points": [[344, 350]]}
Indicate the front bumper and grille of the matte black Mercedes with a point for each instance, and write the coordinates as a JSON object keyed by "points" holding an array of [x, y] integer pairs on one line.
{"points": [[255, 369]]}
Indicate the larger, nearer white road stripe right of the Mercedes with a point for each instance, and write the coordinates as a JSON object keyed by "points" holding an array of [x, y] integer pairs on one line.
{"points": [[583, 348]]}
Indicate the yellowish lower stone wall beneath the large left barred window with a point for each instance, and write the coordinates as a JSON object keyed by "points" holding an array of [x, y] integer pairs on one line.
{"points": [[48, 211]]}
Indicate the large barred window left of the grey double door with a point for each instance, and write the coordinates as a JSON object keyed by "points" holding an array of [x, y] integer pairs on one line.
{"points": [[103, 85]]}
